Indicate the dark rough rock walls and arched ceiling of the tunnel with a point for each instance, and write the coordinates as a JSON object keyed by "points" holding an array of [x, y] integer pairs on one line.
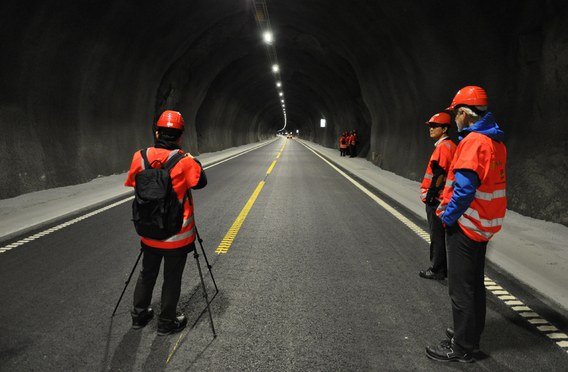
{"points": [[83, 81]]}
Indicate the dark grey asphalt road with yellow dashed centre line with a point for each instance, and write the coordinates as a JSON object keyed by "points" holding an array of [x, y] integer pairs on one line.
{"points": [[318, 277]]}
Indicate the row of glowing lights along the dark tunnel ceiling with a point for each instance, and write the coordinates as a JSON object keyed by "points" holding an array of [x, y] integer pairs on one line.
{"points": [[265, 28]]}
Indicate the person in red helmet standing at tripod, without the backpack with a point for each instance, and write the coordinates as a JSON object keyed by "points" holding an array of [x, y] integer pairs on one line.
{"points": [[185, 175]]}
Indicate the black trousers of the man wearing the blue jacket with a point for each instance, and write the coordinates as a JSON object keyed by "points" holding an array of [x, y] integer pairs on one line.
{"points": [[466, 270]]}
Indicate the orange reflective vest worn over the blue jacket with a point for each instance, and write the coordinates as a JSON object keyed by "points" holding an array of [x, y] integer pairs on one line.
{"points": [[487, 158]]}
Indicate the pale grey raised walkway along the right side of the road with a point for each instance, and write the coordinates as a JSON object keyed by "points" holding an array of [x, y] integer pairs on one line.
{"points": [[529, 250]]}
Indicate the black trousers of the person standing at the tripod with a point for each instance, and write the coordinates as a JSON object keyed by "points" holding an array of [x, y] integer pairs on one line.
{"points": [[174, 264]]}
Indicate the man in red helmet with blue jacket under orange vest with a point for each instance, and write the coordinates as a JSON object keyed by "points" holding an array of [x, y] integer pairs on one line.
{"points": [[472, 209]]}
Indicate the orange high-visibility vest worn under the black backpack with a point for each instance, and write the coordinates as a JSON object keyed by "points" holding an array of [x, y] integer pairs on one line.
{"points": [[184, 175]]}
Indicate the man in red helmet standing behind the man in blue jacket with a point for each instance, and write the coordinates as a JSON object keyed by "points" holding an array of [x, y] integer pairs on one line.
{"points": [[431, 192]]}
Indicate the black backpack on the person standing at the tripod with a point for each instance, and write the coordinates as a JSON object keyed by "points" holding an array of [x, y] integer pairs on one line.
{"points": [[156, 211]]}
